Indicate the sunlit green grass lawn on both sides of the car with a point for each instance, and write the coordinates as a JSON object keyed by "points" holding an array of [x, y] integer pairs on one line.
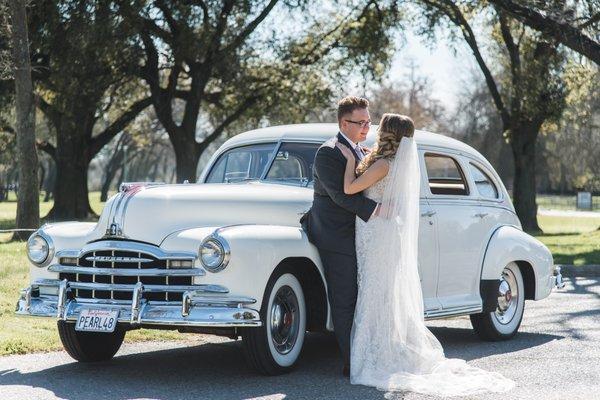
{"points": [[571, 240]]}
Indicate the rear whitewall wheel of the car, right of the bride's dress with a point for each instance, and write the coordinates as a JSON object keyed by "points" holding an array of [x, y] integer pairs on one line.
{"points": [[503, 323]]}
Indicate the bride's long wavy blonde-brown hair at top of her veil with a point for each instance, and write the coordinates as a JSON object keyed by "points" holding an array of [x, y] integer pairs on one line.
{"points": [[392, 128]]}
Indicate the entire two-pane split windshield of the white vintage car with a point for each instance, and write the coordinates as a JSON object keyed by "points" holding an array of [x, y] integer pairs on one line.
{"points": [[292, 164]]}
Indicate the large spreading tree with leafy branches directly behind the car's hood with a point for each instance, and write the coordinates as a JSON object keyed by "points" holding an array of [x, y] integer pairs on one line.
{"points": [[227, 61]]}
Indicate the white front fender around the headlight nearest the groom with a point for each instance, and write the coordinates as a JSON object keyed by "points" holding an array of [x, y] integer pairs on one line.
{"points": [[256, 250]]}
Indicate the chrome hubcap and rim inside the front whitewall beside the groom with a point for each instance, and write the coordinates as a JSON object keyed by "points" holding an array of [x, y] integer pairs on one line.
{"points": [[285, 320]]}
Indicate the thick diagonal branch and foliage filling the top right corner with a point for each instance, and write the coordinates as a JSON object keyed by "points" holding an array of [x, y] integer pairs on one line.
{"points": [[566, 22]]}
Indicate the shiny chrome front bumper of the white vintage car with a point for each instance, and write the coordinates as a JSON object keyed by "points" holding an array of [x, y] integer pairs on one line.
{"points": [[202, 306]]}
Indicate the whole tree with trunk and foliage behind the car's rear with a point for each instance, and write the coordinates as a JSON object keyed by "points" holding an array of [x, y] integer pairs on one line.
{"points": [[530, 94]]}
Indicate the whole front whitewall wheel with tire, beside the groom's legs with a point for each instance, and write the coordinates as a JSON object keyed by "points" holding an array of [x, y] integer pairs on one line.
{"points": [[274, 348]]}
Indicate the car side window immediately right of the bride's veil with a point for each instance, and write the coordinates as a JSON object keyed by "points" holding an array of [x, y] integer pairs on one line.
{"points": [[444, 175]]}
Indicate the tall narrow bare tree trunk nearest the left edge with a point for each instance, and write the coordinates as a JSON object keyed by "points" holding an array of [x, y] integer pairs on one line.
{"points": [[28, 207]]}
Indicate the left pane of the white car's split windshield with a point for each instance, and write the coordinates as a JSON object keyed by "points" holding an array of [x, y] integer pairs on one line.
{"points": [[242, 163]]}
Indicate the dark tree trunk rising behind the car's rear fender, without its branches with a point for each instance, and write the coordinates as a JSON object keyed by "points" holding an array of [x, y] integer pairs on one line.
{"points": [[524, 187]]}
